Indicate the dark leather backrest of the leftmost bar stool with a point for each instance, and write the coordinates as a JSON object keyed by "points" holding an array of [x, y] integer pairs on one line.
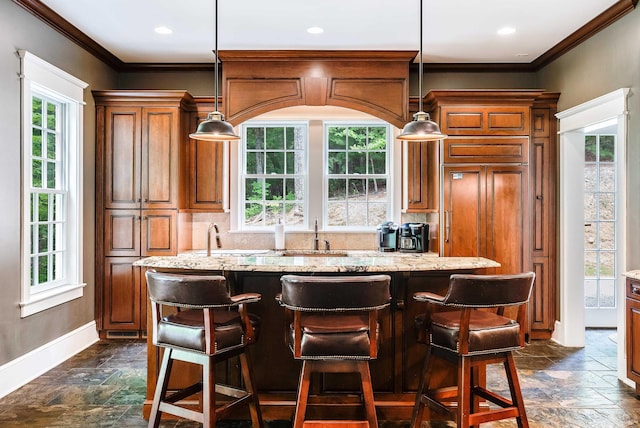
{"points": [[190, 291]]}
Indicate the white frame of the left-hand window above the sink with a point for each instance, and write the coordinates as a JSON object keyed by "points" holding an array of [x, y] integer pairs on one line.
{"points": [[243, 173]]}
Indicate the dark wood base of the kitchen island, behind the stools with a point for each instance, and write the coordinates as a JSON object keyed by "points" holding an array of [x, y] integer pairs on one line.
{"points": [[394, 373]]}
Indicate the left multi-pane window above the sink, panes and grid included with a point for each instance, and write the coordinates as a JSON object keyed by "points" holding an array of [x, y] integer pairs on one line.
{"points": [[274, 175]]}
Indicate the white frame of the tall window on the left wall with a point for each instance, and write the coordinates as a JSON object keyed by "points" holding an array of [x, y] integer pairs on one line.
{"points": [[41, 78]]}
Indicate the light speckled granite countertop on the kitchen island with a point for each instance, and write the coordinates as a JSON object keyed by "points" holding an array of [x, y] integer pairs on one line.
{"points": [[314, 261]]}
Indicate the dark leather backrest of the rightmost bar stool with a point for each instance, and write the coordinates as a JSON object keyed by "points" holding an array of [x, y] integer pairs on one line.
{"points": [[489, 291]]}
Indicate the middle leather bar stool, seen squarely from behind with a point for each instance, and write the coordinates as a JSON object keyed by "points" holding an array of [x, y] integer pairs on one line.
{"points": [[334, 329]]}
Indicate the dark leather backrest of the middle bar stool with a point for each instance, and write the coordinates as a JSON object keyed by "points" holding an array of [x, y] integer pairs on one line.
{"points": [[335, 293]]}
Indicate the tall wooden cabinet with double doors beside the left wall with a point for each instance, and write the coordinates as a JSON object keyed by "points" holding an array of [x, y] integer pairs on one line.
{"points": [[141, 149]]}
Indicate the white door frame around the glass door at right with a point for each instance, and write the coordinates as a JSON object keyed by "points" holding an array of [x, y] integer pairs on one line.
{"points": [[569, 328]]}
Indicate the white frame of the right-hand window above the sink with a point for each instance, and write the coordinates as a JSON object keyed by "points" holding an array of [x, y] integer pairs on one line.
{"points": [[388, 176]]}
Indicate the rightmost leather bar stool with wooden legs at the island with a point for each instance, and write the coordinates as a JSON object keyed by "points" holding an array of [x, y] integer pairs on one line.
{"points": [[466, 334]]}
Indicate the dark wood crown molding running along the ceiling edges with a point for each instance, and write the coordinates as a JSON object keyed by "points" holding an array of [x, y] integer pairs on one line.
{"points": [[606, 18]]}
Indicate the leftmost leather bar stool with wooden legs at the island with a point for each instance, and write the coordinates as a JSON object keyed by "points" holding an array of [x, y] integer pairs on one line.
{"points": [[207, 327]]}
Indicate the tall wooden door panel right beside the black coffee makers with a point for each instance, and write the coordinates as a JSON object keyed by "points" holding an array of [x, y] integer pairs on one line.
{"points": [[464, 211]]}
